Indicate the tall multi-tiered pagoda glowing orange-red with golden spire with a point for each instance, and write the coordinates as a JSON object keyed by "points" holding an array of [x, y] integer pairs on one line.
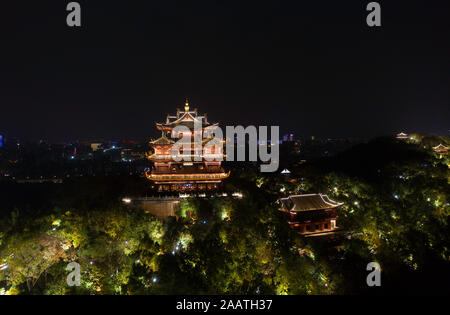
{"points": [[201, 170]]}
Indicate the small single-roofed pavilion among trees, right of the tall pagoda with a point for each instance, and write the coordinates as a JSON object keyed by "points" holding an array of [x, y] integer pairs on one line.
{"points": [[310, 214]]}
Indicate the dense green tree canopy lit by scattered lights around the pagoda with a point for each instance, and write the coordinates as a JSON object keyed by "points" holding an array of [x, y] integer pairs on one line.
{"points": [[396, 212]]}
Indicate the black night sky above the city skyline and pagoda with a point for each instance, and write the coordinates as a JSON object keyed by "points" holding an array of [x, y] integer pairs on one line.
{"points": [[312, 67]]}
